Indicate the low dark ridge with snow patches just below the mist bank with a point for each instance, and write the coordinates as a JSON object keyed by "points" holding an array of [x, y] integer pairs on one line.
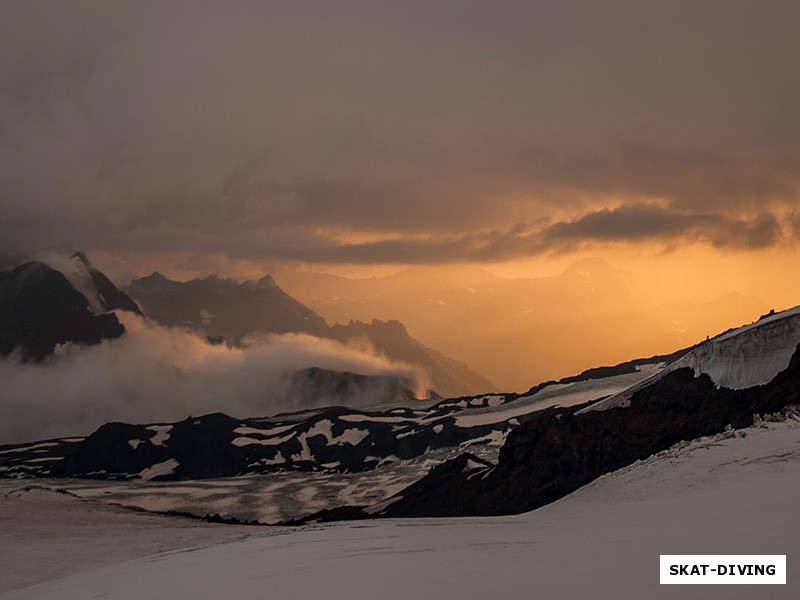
{"points": [[335, 440]]}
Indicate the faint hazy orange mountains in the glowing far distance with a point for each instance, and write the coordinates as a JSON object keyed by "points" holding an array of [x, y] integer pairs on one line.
{"points": [[518, 331]]}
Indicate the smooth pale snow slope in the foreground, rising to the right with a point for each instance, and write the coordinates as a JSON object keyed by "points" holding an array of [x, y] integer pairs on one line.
{"points": [[736, 493]]}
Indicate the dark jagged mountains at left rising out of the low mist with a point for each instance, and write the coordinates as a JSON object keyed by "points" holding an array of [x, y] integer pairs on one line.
{"points": [[44, 308]]}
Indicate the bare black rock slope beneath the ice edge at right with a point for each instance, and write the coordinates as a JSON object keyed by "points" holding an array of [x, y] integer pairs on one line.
{"points": [[559, 450]]}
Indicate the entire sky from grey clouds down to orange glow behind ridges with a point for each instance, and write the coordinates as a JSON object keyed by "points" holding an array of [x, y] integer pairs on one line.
{"points": [[361, 140]]}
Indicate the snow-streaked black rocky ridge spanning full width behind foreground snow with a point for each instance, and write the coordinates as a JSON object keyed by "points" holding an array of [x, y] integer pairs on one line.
{"points": [[482, 455]]}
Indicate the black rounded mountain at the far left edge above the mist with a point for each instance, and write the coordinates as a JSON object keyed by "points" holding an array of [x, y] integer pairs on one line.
{"points": [[40, 309]]}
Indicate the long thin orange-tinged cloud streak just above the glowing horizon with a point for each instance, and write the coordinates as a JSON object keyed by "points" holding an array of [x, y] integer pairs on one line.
{"points": [[627, 223]]}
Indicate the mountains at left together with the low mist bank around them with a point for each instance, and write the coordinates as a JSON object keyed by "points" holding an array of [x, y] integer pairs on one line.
{"points": [[81, 352]]}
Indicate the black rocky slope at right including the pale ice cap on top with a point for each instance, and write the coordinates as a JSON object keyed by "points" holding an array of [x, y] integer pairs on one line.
{"points": [[720, 384]]}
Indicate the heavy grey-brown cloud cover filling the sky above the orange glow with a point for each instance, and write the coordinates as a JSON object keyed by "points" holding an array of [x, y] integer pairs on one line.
{"points": [[245, 128]]}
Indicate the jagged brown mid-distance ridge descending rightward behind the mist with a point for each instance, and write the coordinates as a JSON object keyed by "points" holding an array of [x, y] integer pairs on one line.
{"points": [[223, 308]]}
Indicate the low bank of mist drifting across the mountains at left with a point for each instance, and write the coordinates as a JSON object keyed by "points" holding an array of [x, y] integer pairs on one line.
{"points": [[157, 374]]}
